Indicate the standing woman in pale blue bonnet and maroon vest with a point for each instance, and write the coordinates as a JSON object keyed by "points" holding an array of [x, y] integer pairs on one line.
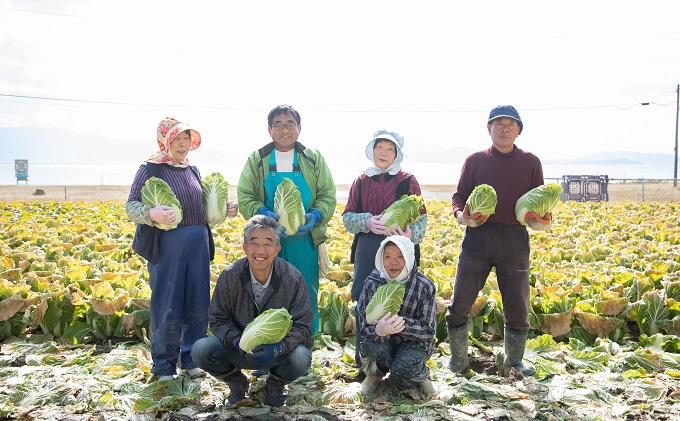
{"points": [[372, 192]]}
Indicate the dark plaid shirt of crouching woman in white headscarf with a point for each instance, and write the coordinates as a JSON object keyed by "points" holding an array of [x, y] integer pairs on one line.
{"points": [[418, 310]]}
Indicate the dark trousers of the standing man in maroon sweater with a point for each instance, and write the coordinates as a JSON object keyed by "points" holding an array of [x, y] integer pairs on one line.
{"points": [[507, 249]]}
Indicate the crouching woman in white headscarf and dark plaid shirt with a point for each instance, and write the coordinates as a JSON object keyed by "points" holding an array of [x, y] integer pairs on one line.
{"points": [[401, 343]]}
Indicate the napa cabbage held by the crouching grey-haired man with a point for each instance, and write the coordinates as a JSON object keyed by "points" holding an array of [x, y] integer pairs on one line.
{"points": [[268, 328]]}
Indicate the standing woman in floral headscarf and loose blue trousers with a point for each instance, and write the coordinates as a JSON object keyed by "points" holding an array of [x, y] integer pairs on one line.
{"points": [[180, 278]]}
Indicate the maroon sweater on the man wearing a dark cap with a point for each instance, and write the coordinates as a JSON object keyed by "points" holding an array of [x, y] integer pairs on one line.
{"points": [[511, 175]]}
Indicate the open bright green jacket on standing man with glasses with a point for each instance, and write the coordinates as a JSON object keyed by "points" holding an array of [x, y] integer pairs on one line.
{"points": [[251, 194]]}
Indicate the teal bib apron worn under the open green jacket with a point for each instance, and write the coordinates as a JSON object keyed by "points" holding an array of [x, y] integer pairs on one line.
{"points": [[297, 250]]}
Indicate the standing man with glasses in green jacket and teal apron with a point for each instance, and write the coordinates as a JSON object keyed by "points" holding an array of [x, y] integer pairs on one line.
{"points": [[265, 168]]}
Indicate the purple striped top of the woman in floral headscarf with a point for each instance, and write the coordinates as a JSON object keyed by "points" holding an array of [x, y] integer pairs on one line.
{"points": [[183, 183]]}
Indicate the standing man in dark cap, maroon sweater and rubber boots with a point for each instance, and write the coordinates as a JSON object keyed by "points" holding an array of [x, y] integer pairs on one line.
{"points": [[499, 240]]}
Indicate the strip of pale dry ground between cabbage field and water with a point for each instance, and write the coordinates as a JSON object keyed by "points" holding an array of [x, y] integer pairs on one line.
{"points": [[636, 192]]}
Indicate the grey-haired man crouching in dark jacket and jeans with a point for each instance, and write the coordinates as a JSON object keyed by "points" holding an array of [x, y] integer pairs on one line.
{"points": [[245, 289]]}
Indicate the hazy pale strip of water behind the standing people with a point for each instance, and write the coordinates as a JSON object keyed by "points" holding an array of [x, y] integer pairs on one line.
{"points": [[122, 174]]}
